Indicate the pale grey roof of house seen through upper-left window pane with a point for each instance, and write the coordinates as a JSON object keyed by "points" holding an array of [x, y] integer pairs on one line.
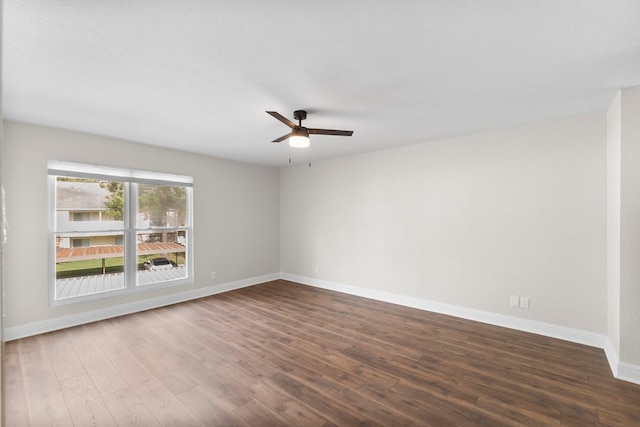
{"points": [[81, 196]]}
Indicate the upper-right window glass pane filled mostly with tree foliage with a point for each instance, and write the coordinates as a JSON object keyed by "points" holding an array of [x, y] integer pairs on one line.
{"points": [[161, 206]]}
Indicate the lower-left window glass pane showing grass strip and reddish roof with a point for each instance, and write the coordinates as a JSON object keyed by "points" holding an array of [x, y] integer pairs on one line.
{"points": [[95, 265]]}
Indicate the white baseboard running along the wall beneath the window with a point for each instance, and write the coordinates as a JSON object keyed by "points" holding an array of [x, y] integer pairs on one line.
{"points": [[35, 328]]}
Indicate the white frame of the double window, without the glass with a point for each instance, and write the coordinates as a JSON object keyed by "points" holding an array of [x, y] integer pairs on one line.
{"points": [[130, 177]]}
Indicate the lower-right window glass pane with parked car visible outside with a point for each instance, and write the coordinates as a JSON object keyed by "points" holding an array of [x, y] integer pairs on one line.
{"points": [[161, 256]]}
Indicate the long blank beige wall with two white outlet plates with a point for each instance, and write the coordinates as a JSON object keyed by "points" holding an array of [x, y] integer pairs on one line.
{"points": [[466, 221]]}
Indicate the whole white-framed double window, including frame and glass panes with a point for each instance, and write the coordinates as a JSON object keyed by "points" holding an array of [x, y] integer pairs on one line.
{"points": [[117, 231]]}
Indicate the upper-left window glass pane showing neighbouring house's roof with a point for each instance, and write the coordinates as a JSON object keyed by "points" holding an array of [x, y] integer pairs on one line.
{"points": [[89, 204]]}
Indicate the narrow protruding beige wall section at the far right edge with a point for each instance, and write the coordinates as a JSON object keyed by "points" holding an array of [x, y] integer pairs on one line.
{"points": [[623, 231]]}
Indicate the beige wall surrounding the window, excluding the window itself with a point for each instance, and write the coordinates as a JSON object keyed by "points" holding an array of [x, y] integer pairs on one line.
{"points": [[236, 215]]}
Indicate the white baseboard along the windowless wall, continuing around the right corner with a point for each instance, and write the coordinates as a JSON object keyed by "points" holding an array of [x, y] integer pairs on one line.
{"points": [[621, 370]]}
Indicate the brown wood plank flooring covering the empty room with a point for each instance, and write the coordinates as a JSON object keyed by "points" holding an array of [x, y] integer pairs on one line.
{"points": [[283, 354]]}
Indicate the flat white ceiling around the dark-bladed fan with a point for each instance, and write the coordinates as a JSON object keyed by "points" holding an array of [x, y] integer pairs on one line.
{"points": [[199, 75]]}
